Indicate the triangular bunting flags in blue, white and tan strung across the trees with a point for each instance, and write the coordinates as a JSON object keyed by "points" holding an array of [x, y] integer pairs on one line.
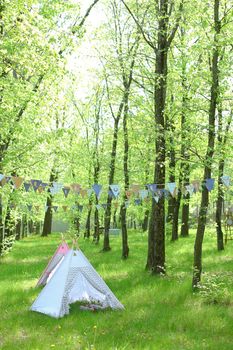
{"points": [[142, 192]]}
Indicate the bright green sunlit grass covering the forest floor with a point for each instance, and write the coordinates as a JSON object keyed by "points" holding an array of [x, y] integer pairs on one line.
{"points": [[160, 312]]}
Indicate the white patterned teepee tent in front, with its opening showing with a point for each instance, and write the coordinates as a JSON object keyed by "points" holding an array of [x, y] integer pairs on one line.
{"points": [[74, 280]]}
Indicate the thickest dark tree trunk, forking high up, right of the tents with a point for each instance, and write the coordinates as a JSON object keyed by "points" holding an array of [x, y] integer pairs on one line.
{"points": [[156, 236]]}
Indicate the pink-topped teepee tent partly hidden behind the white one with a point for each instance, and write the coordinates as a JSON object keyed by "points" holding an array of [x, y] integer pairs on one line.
{"points": [[53, 263]]}
